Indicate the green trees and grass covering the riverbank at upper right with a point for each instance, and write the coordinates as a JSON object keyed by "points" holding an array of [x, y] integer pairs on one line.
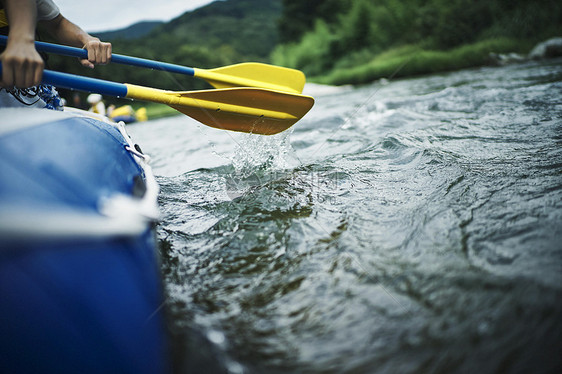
{"points": [[345, 41]]}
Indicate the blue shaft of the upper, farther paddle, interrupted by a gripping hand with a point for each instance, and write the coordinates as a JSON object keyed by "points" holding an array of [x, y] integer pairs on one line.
{"points": [[119, 59]]}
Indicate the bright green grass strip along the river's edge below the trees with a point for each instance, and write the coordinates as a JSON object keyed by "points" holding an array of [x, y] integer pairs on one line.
{"points": [[413, 60]]}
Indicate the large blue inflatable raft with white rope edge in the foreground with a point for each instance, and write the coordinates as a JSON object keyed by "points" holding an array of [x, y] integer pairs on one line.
{"points": [[80, 289]]}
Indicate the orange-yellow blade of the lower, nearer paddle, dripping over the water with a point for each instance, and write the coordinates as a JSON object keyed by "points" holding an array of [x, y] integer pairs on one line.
{"points": [[251, 110]]}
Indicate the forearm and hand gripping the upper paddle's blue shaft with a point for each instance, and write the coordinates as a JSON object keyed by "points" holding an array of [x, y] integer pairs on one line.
{"points": [[68, 33]]}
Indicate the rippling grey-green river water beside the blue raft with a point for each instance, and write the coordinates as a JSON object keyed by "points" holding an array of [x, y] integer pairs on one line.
{"points": [[411, 226]]}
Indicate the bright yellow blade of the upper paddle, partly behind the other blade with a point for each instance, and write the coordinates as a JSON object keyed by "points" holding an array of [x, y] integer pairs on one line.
{"points": [[253, 74]]}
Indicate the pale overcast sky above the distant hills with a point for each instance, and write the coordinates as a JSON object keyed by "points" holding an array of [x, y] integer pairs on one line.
{"points": [[103, 15]]}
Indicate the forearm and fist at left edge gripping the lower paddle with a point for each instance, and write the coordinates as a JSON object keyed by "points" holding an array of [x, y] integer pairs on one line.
{"points": [[22, 66]]}
